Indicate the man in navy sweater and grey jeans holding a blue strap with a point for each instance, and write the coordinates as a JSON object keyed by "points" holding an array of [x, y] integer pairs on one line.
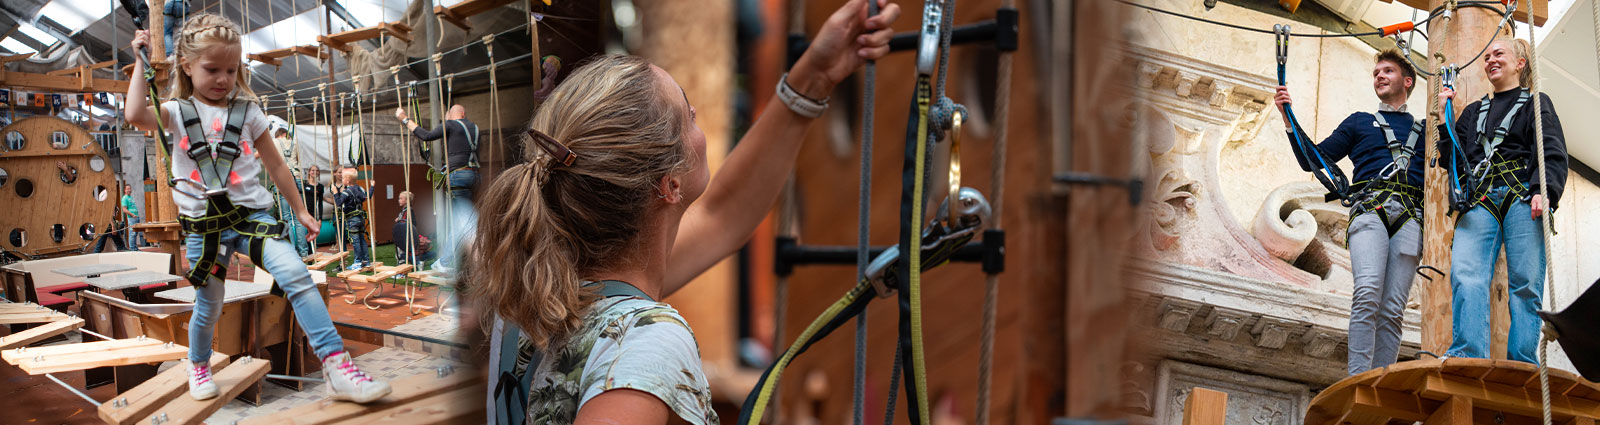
{"points": [[1386, 218]]}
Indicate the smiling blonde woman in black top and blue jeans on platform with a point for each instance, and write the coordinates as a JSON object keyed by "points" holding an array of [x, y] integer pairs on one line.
{"points": [[1508, 209]]}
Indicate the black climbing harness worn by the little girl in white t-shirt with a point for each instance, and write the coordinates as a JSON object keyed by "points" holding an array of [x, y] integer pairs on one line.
{"points": [[215, 169]]}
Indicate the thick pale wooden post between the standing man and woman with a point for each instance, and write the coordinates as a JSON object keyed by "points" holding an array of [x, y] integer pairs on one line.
{"points": [[1468, 33]]}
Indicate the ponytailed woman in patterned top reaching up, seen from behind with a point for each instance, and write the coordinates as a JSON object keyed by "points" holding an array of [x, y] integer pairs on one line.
{"points": [[615, 210]]}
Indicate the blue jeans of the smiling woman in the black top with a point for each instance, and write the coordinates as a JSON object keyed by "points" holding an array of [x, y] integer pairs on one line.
{"points": [[1479, 239]]}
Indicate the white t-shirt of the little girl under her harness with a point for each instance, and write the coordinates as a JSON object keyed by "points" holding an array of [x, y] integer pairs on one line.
{"points": [[246, 186]]}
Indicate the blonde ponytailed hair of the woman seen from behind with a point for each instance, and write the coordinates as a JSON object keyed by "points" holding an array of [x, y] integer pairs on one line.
{"points": [[546, 226]]}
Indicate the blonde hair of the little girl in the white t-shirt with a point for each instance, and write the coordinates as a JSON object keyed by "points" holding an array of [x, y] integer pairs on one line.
{"points": [[202, 33]]}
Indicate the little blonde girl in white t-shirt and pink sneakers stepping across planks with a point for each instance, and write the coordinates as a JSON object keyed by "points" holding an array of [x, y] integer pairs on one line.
{"points": [[223, 204]]}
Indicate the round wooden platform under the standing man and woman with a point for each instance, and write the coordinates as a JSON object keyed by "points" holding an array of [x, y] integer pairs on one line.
{"points": [[1457, 391]]}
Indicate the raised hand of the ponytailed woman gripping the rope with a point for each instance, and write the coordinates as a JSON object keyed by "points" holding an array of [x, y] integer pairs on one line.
{"points": [[846, 42]]}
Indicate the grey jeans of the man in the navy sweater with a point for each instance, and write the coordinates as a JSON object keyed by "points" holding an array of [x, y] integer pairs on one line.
{"points": [[1385, 268]]}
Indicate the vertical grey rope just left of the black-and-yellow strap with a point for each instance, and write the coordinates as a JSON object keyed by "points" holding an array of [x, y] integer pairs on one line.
{"points": [[863, 232]]}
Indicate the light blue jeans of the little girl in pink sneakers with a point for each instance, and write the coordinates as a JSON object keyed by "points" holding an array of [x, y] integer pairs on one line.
{"points": [[290, 276]]}
